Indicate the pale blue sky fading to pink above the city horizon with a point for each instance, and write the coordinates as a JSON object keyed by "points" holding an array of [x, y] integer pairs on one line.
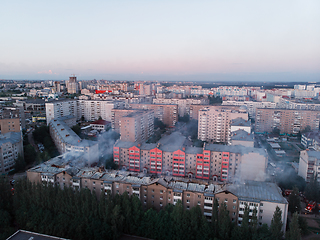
{"points": [[173, 40]]}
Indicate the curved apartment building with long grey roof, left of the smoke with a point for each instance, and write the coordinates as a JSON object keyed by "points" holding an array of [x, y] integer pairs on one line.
{"points": [[67, 141]]}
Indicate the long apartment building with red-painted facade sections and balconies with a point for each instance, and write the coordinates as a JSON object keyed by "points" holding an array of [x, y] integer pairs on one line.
{"points": [[171, 156]]}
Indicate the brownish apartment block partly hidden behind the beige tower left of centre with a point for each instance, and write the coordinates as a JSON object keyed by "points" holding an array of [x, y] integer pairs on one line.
{"points": [[167, 113]]}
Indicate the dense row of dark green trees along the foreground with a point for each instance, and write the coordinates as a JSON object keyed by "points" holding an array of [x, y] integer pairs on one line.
{"points": [[80, 215]]}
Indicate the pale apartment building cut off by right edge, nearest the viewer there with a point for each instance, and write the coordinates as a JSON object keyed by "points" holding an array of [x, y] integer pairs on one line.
{"points": [[309, 165]]}
